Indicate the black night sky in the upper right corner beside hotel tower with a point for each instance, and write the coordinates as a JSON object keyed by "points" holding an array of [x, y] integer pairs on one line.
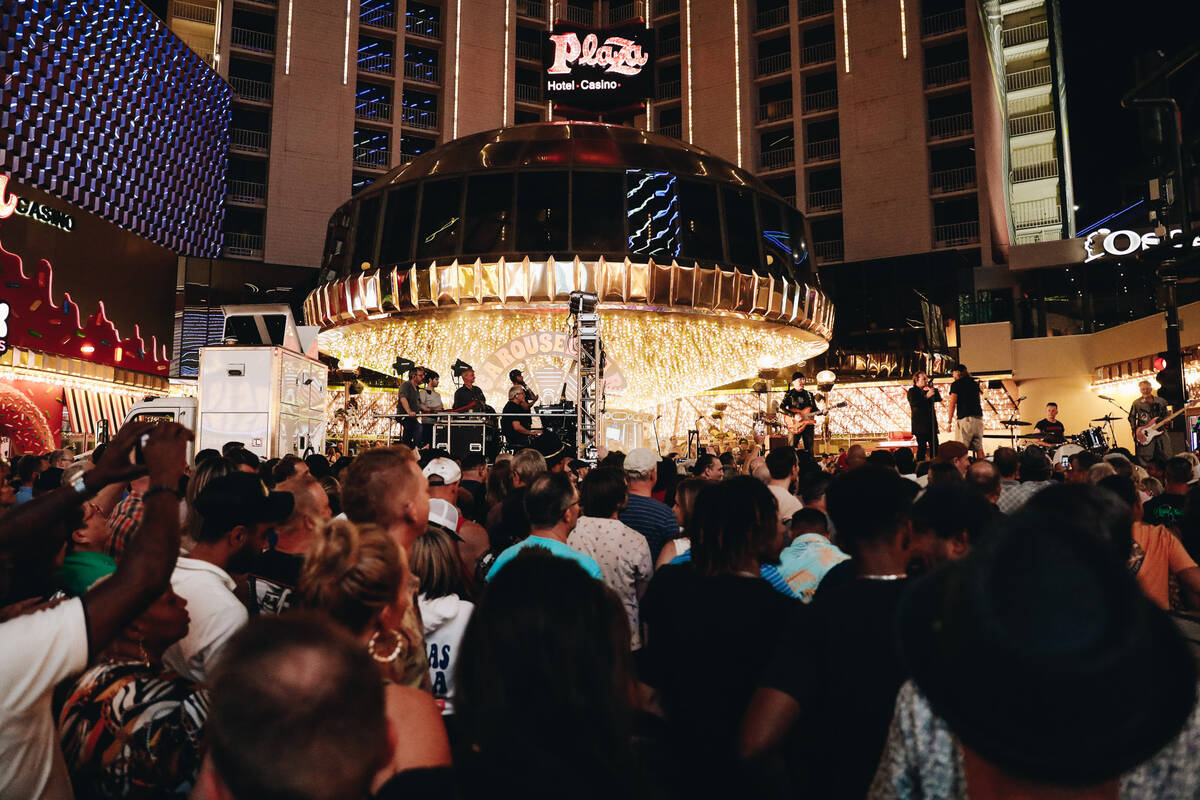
{"points": [[1102, 40]]}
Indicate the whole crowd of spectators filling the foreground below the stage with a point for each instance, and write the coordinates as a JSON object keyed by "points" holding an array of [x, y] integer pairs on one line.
{"points": [[403, 623]]}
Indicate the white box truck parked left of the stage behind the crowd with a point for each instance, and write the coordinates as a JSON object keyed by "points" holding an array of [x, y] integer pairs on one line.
{"points": [[263, 388]]}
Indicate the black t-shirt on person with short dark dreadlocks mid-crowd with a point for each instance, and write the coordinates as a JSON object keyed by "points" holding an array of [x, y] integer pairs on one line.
{"points": [[709, 640]]}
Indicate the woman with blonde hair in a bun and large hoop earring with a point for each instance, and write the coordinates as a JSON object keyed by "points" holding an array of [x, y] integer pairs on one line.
{"points": [[359, 576]]}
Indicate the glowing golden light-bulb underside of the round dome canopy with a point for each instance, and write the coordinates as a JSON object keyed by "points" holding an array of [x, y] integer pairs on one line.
{"points": [[659, 356]]}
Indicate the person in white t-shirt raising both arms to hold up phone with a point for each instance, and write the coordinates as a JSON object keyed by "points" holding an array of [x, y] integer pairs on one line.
{"points": [[43, 648]]}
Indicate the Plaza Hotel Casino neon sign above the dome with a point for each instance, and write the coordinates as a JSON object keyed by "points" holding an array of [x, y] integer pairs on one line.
{"points": [[597, 71]]}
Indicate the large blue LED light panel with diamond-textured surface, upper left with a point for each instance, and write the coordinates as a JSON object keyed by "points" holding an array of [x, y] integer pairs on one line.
{"points": [[103, 106]]}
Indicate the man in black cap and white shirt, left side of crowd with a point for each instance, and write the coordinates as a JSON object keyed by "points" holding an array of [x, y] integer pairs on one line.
{"points": [[236, 513]]}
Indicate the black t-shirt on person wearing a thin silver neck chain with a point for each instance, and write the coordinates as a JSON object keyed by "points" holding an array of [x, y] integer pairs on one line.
{"points": [[838, 659]]}
